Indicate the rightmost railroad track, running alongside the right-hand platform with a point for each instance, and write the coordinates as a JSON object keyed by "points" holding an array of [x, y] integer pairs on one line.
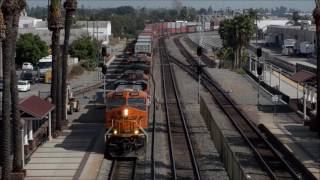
{"points": [[276, 163]]}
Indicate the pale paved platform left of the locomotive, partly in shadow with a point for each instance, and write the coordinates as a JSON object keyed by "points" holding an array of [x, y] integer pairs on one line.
{"points": [[78, 152]]}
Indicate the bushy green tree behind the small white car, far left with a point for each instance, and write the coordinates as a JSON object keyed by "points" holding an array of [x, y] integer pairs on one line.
{"points": [[30, 48]]}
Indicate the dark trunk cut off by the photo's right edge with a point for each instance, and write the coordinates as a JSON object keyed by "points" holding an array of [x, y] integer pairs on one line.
{"points": [[315, 125]]}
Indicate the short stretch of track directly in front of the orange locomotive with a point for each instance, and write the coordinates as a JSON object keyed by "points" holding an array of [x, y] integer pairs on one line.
{"points": [[123, 169]]}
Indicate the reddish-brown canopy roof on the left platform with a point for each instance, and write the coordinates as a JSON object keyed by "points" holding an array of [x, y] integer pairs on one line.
{"points": [[35, 107]]}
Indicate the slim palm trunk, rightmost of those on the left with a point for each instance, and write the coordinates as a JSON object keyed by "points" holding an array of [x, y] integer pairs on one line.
{"points": [[70, 6]]}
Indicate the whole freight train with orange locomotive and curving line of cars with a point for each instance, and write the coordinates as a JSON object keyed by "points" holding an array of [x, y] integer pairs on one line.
{"points": [[126, 114]]}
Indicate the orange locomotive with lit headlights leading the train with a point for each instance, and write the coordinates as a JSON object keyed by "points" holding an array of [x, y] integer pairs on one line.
{"points": [[126, 121]]}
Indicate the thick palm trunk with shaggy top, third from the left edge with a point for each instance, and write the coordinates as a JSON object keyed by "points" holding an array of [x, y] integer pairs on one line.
{"points": [[55, 25]]}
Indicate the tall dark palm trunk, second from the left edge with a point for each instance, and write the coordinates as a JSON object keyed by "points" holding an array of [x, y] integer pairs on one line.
{"points": [[17, 126]]}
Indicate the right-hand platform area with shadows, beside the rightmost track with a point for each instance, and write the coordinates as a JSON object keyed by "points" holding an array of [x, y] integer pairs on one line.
{"points": [[286, 125]]}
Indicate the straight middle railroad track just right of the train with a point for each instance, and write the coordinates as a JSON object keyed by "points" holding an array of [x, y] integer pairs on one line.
{"points": [[182, 156]]}
